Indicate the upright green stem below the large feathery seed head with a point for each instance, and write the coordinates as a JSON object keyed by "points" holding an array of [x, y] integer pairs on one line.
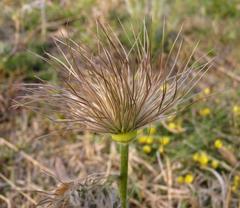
{"points": [[124, 175]]}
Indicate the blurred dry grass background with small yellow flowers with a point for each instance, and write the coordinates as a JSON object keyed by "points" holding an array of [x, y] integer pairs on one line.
{"points": [[191, 160]]}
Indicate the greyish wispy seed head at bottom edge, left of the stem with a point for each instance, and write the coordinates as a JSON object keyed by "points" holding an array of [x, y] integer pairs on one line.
{"points": [[94, 191]]}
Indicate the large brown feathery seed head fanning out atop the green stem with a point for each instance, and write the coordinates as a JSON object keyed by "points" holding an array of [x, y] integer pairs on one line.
{"points": [[117, 89]]}
